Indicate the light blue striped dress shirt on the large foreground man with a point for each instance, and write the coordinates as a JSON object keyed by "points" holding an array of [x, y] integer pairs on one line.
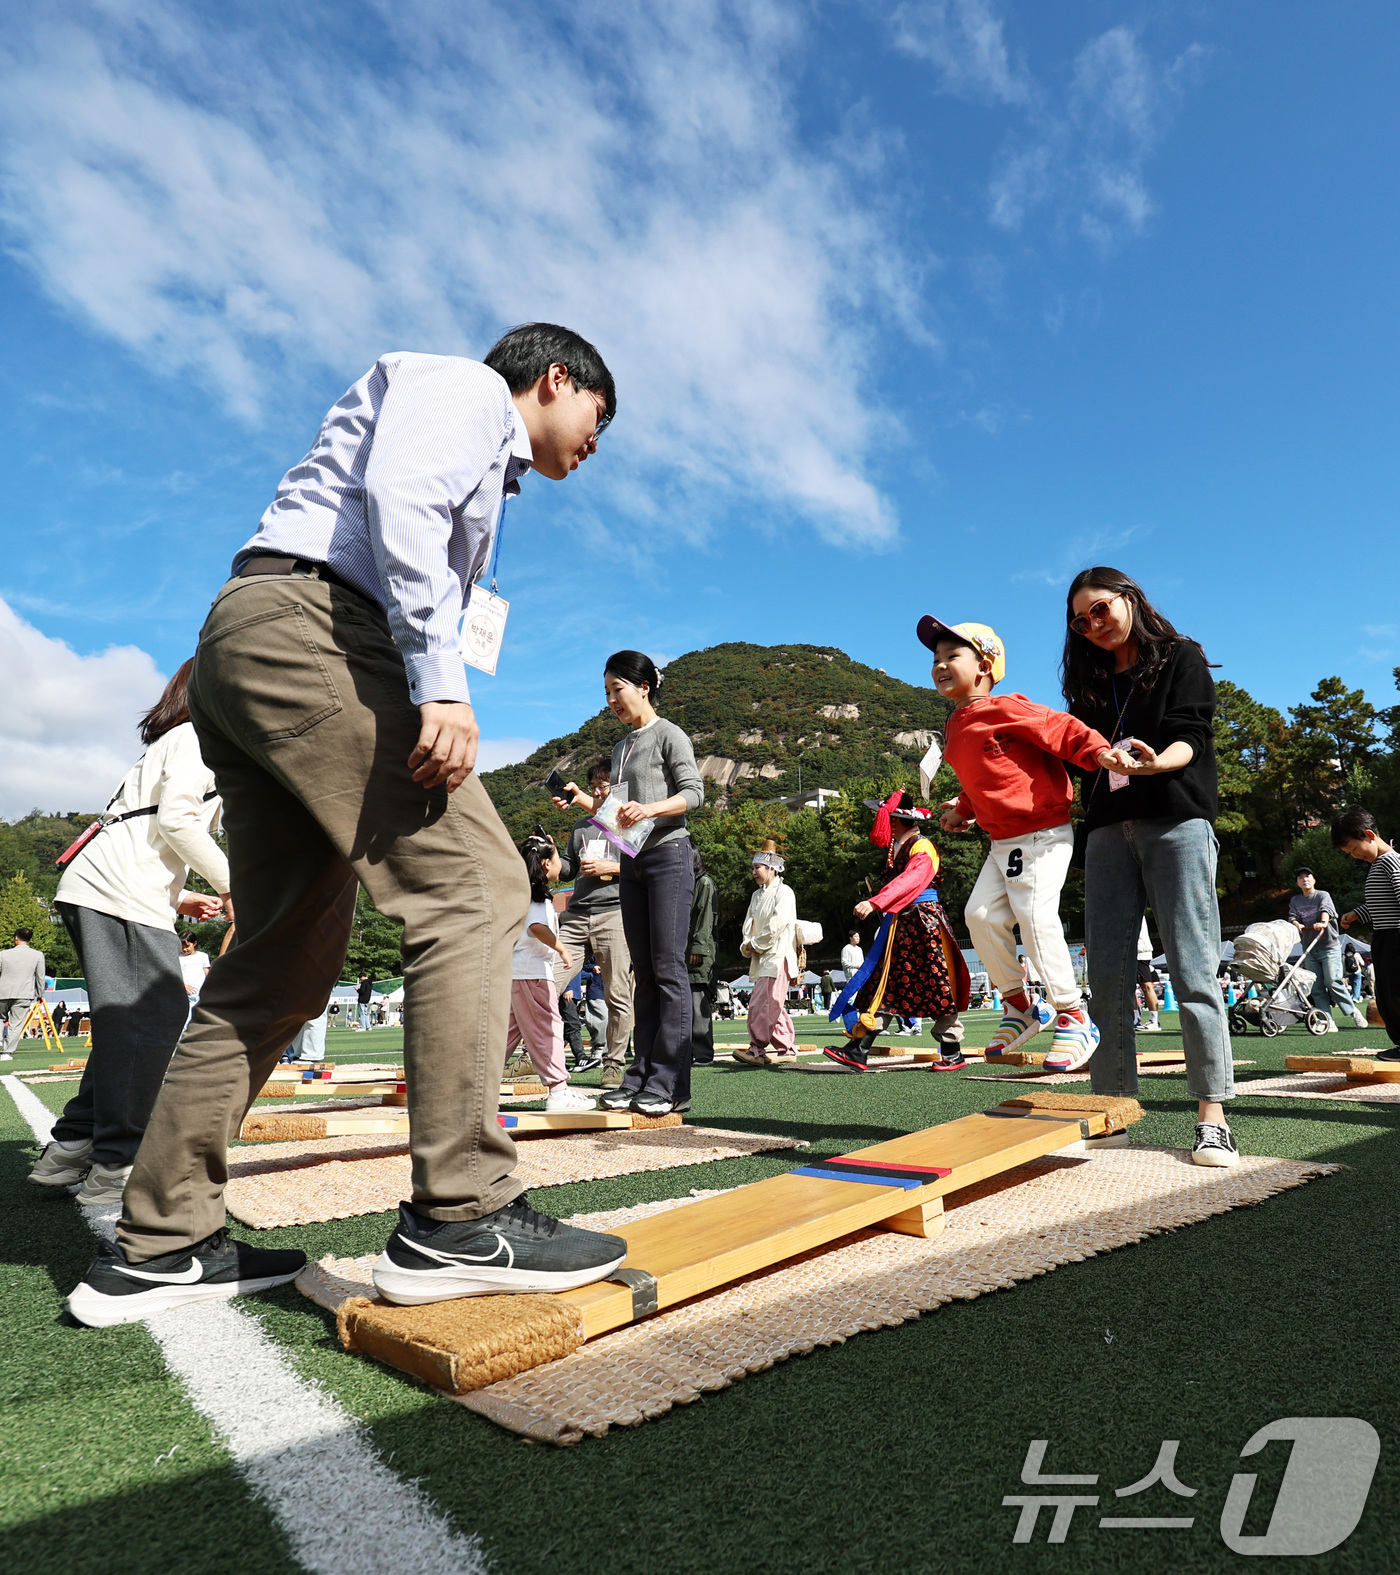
{"points": [[401, 495]]}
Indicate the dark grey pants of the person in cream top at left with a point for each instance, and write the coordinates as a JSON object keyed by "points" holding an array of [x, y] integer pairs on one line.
{"points": [[138, 1009]]}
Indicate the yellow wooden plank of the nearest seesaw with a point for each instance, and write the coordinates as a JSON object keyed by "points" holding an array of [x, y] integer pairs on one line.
{"points": [[750, 1229]]}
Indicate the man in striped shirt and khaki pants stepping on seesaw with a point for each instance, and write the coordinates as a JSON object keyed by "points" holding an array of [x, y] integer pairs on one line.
{"points": [[331, 703]]}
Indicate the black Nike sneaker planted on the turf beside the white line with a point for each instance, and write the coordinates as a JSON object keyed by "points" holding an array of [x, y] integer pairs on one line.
{"points": [[116, 1291]]}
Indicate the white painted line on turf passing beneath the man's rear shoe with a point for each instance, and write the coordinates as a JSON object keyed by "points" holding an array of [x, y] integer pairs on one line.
{"points": [[343, 1510]]}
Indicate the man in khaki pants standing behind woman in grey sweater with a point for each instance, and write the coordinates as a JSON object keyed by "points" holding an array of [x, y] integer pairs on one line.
{"points": [[594, 919]]}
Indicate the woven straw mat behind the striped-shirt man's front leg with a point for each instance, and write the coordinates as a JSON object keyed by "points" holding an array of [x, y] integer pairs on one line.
{"points": [[300, 1184]]}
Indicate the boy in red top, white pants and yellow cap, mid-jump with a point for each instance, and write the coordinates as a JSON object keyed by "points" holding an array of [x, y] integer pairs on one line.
{"points": [[1009, 755]]}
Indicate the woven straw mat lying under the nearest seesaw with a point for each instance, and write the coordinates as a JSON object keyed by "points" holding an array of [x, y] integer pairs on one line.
{"points": [[1009, 1229]]}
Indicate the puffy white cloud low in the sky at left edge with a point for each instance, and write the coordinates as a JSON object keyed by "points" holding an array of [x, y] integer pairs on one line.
{"points": [[67, 722]]}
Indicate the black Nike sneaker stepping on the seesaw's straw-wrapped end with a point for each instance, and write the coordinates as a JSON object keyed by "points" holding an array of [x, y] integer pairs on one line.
{"points": [[516, 1250]]}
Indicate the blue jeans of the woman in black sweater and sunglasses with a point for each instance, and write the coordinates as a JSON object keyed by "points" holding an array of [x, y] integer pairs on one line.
{"points": [[1172, 865]]}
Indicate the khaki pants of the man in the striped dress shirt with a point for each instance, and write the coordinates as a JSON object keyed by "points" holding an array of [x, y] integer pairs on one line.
{"points": [[302, 706]]}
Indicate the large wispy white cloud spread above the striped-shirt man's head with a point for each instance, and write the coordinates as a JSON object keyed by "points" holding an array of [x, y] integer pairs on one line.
{"points": [[248, 207]]}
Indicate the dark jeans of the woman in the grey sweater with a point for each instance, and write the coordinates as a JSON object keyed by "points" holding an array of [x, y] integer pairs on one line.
{"points": [[656, 889]]}
